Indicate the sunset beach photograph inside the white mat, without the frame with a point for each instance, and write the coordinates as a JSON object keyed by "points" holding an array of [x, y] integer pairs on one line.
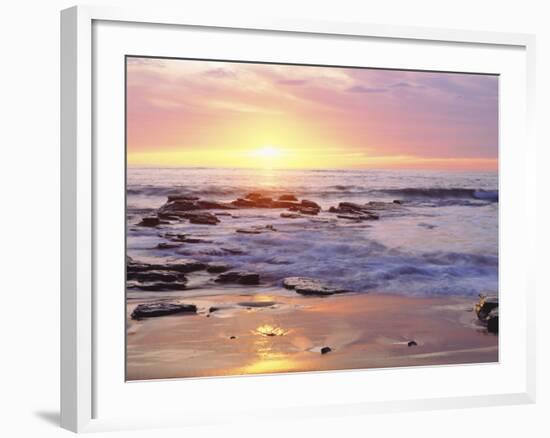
{"points": [[287, 218]]}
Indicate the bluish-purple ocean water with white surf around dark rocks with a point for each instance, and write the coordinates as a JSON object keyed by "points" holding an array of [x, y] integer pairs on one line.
{"points": [[441, 240]]}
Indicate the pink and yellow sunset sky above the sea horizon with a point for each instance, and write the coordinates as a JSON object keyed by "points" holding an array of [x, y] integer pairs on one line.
{"points": [[192, 113]]}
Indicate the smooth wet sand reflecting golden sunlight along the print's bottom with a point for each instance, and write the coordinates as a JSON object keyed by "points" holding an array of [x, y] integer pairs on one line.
{"points": [[272, 331]]}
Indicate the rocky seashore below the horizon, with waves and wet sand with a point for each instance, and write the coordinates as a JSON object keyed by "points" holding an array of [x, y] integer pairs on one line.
{"points": [[236, 272]]}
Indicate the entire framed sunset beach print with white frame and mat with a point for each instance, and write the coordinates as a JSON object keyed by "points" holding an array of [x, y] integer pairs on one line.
{"points": [[280, 207]]}
